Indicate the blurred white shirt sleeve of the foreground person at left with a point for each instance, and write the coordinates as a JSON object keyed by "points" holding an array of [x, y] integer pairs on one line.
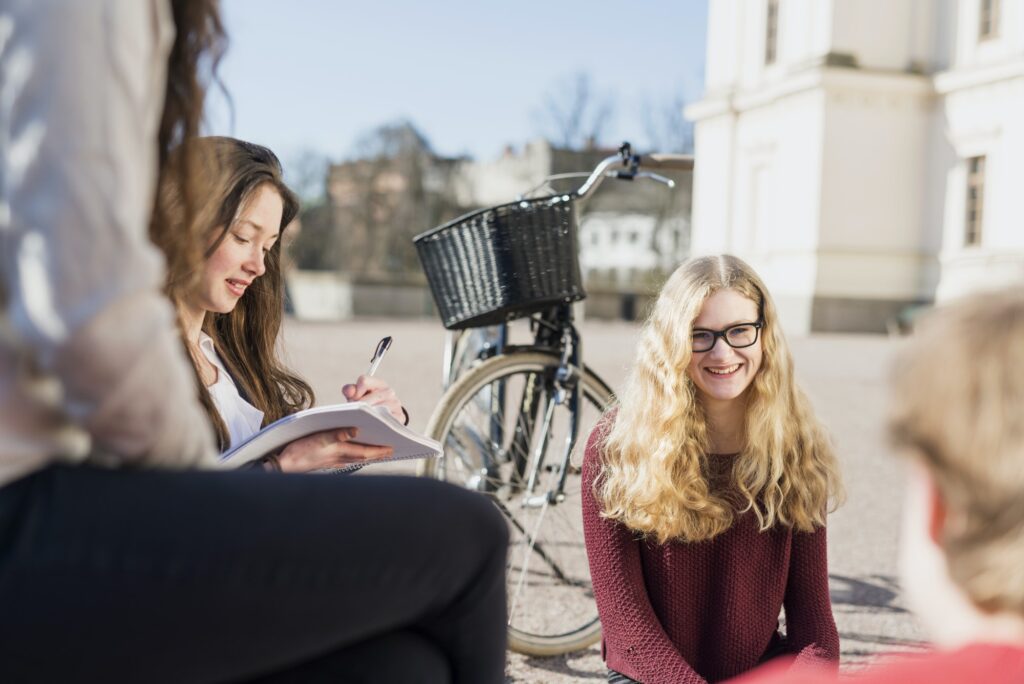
{"points": [[88, 343]]}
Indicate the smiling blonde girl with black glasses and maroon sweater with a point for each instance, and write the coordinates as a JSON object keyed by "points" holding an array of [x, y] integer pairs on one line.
{"points": [[706, 492]]}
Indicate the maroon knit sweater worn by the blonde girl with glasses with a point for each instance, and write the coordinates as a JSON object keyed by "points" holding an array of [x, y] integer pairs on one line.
{"points": [[687, 613]]}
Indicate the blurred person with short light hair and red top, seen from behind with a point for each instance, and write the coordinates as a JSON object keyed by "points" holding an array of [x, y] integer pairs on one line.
{"points": [[958, 417]]}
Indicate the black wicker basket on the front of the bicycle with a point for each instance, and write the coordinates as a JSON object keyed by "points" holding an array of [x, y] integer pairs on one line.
{"points": [[503, 263]]}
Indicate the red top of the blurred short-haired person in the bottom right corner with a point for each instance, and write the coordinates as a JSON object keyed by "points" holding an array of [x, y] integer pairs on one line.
{"points": [[977, 664]]}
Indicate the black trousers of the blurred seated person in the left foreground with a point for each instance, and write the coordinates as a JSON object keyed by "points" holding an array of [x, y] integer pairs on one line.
{"points": [[227, 577]]}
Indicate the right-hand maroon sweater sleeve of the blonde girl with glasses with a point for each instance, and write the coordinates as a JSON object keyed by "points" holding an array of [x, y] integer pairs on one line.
{"points": [[810, 626]]}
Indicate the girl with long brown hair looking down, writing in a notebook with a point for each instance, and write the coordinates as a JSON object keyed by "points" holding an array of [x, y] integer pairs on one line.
{"points": [[231, 308]]}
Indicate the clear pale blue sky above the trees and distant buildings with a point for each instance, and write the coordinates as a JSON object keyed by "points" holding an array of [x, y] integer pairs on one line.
{"points": [[472, 75]]}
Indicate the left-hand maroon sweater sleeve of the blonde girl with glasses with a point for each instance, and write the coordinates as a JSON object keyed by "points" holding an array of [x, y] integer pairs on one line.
{"points": [[627, 617]]}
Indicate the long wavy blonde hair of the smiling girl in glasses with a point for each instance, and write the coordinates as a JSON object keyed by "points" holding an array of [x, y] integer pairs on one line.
{"points": [[655, 475]]}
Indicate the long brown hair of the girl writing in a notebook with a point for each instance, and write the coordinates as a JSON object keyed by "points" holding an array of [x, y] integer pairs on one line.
{"points": [[229, 174]]}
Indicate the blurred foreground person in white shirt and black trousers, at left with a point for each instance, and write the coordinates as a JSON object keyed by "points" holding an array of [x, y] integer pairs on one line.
{"points": [[125, 555]]}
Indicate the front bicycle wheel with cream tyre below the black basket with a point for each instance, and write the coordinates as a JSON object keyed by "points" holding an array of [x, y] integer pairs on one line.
{"points": [[502, 426]]}
